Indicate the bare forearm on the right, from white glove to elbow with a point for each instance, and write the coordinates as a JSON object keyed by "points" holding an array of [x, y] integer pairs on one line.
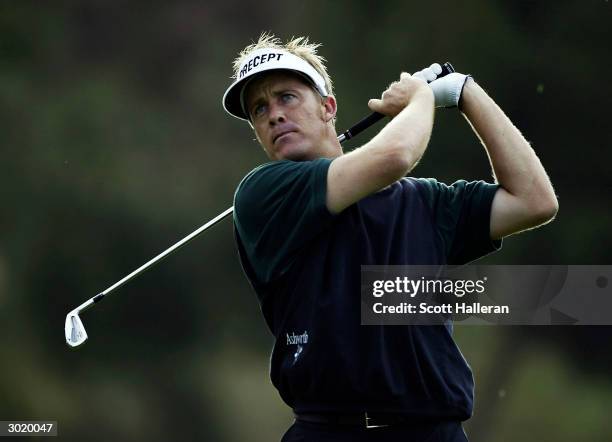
{"points": [[515, 165]]}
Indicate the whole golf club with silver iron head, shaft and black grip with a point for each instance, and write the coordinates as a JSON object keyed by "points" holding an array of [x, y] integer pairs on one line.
{"points": [[74, 330]]}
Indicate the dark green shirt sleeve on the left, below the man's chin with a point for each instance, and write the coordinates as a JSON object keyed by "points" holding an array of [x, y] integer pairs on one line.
{"points": [[278, 209]]}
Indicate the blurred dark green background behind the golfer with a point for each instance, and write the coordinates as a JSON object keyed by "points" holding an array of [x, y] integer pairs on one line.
{"points": [[114, 146]]}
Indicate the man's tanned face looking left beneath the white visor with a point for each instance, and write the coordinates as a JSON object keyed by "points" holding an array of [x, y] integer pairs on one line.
{"points": [[291, 120]]}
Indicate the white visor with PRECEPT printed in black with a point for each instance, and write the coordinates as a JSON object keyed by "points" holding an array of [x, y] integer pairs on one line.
{"points": [[262, 60]]}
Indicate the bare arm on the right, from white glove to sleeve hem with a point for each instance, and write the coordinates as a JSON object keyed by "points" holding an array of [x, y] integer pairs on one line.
{"points": [[526, 198]]}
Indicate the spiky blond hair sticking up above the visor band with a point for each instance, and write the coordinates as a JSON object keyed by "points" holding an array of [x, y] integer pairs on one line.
{"points": [[299, 46]]}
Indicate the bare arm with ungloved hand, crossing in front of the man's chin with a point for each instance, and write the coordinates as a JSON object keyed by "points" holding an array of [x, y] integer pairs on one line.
{"points": [[392, 153]]}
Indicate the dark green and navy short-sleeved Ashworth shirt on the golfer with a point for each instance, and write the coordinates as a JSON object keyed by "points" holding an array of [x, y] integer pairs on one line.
{"points": [[304, 264]]}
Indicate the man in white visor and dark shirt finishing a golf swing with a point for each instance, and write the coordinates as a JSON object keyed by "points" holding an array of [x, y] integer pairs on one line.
{"points": [[310, 217]]}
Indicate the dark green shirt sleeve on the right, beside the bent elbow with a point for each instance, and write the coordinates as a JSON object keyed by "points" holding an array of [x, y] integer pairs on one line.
{"points": [[462, 214]]}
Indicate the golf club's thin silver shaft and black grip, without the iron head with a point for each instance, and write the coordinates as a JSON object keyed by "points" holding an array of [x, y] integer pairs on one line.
{"points": [[366, 122]]}
